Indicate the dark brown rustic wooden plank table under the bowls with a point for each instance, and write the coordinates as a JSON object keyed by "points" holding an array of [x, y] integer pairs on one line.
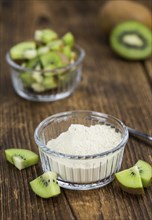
{"points": [[110, 84]]}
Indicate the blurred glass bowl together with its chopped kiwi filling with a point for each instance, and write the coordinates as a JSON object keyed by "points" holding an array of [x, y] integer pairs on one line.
{"points": [[47, 68]]}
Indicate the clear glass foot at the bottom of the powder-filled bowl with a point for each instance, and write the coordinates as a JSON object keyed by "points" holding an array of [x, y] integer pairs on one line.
{"points": [[89, 186]]}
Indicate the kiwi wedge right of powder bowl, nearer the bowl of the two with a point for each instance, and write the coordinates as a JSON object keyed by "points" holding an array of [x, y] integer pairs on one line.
{"points": [[130, 181]]}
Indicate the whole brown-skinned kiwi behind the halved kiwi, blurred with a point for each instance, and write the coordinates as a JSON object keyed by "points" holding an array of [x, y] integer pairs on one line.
{"points": [[113, 12]]}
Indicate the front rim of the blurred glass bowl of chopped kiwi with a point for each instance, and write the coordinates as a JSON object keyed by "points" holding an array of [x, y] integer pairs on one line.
{"points": [[55, 70]]}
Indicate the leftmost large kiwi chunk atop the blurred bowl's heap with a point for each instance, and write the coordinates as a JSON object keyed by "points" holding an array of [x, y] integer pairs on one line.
{"points": [[24, 50]]}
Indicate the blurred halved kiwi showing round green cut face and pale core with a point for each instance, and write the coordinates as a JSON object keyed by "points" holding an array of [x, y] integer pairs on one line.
{"points": [[131, 40]]}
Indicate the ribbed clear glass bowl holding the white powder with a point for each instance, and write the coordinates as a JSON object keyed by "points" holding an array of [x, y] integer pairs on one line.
{"points": [[80, 172]]}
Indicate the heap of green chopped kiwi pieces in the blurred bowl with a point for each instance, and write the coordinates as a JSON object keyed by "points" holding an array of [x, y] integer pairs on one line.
{"points": [[41, 57]]}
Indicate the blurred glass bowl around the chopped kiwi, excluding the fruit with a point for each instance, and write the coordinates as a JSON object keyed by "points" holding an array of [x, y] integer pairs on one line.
{"points": [[67, 78]]}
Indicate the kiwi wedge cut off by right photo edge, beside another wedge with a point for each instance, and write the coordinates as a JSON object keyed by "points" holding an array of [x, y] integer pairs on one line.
{"points": [[145, 171]]}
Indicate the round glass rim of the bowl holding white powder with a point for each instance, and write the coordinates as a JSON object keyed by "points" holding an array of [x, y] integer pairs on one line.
{"points": [[49, 119]]}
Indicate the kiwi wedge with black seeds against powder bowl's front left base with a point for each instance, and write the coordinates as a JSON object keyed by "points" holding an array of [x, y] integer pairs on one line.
{"points": [[46, 185]]}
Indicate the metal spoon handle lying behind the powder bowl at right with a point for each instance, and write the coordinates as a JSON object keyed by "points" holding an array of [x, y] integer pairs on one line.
{"points": [[140, 134]]}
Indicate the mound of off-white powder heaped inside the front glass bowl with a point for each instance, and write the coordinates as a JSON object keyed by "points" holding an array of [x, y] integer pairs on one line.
{"points": [[83, 140]]}
